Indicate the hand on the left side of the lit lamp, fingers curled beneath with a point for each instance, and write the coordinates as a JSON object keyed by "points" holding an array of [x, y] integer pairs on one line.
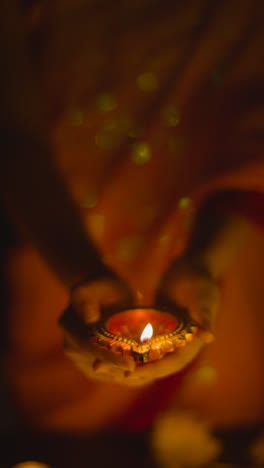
{"points": [[87, 301]]}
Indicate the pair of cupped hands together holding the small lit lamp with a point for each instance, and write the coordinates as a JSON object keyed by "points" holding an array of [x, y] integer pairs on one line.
{"points": [[187, 285]]}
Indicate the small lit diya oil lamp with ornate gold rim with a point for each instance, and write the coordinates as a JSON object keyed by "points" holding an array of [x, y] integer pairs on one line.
{"points": [[145, 333]]}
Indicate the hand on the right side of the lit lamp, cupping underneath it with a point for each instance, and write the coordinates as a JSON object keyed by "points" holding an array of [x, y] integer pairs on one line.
{"points": [[187, 285]]}
